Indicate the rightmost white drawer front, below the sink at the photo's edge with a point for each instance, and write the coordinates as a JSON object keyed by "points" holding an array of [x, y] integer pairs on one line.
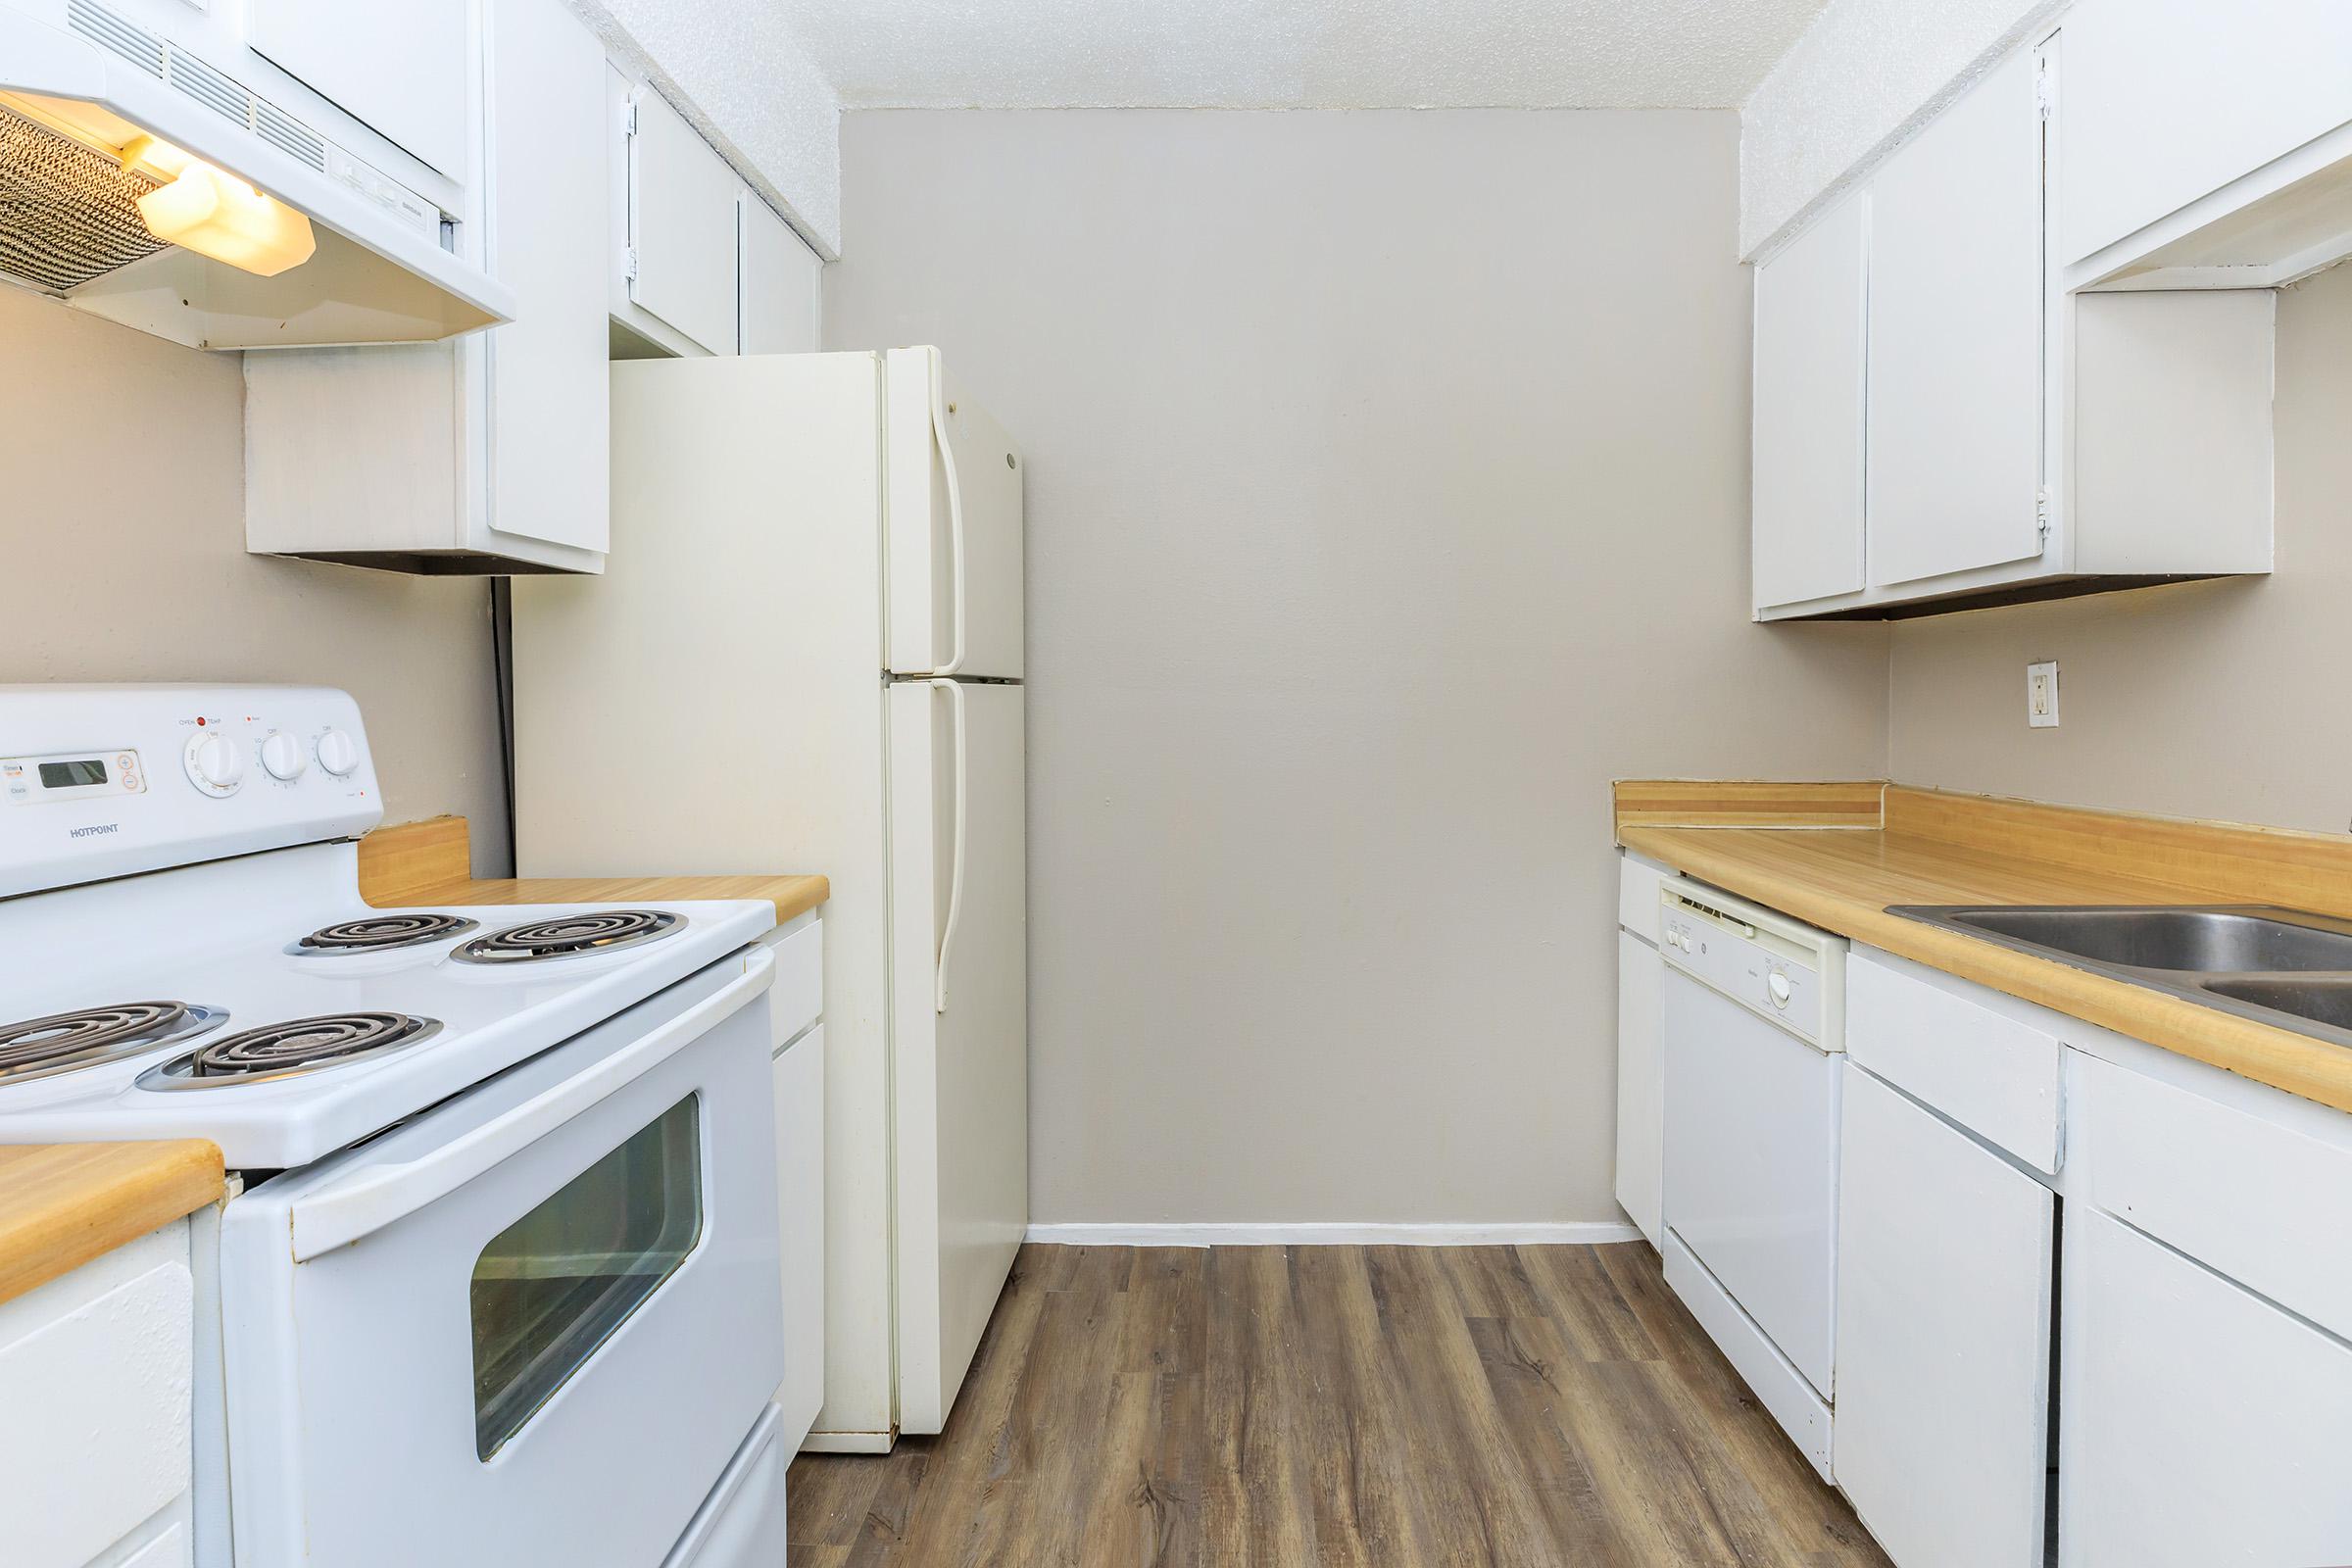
{"points": [[2240, 1193]]}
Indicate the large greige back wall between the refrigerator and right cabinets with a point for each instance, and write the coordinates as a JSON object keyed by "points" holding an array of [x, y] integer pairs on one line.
{"points": [[1389, 497]]}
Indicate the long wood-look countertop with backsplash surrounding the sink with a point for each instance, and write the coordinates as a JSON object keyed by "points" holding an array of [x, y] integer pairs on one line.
{"points": [[1932, 847]]}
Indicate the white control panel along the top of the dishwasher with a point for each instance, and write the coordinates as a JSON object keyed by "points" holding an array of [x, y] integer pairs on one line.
{"points": [[1768, 963]]}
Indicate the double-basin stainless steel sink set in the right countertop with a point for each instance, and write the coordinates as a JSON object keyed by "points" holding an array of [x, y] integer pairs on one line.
{"points": [[2283, 967]]}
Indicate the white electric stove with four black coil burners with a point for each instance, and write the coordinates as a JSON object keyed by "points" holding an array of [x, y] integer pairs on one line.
{"points": [[497, 1278]]}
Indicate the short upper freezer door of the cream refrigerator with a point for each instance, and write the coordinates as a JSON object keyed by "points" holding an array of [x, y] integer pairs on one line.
{"points": [[954, 521]]}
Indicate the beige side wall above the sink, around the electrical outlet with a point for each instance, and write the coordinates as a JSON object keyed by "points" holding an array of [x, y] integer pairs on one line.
{"points": [[2207, 699]]}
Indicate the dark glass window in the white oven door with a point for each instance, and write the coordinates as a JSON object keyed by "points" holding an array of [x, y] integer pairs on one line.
{"points": [[554, 1285]]}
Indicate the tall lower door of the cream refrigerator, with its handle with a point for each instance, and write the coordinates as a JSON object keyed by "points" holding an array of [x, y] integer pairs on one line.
{"points": [[958, 1024]]}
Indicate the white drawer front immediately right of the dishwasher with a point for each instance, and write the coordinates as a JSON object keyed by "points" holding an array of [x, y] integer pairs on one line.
{"points": [[1963, 1050]]}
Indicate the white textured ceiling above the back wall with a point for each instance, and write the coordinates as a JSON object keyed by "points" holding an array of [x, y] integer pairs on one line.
{"points": [[1295, 53]]}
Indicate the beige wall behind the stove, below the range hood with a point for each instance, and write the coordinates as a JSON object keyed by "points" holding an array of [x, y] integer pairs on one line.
{"points": [[123, 478]]}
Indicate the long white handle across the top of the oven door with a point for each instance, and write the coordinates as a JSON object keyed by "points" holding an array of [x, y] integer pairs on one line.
{"points": [[394, 1193]]}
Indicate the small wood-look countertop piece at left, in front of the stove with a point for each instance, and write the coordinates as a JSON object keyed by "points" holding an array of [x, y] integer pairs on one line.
{"points": [[69, 1202]]}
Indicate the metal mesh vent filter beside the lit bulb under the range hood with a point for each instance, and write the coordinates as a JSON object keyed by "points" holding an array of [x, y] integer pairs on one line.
{"points": [[67, 215]]}
